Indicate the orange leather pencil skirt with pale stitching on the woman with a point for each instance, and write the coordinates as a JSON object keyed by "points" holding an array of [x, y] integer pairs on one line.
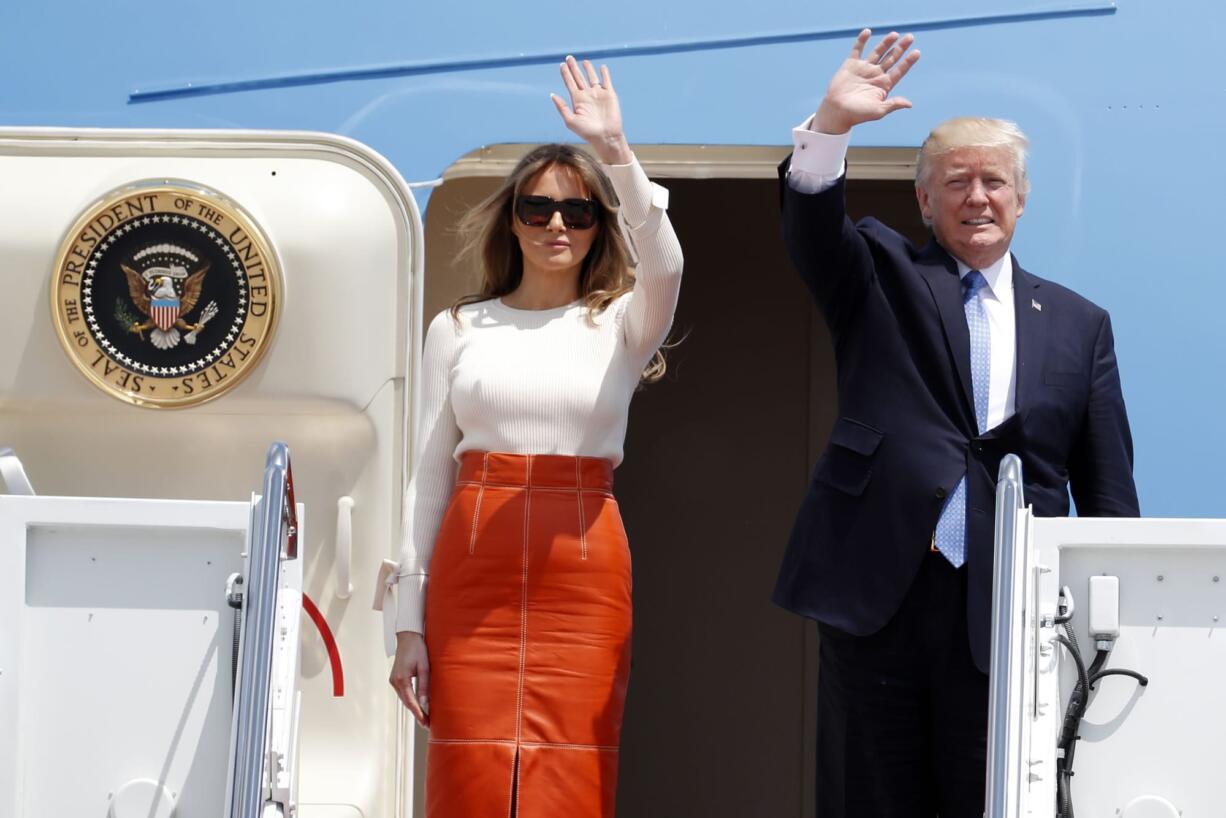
{"points": [[528, 625]]}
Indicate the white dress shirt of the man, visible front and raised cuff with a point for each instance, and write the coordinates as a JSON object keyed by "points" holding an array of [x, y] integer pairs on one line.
{"points": [[820, 160]]}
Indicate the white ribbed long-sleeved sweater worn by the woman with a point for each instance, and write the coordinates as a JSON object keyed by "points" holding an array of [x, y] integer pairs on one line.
{"points": [[535, 382]]}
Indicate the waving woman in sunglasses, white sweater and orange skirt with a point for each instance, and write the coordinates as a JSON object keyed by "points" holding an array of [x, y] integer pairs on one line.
{"points": [[523, 669]]}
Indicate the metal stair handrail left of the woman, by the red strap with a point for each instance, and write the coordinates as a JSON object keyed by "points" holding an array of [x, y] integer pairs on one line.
{"points": [[274, 529]]}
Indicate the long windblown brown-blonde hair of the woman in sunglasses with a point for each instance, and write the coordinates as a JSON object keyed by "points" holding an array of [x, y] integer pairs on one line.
{"points": [[489, 240]]}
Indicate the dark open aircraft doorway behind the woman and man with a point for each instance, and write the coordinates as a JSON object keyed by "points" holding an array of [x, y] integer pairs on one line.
{"points": [[720, 717]]}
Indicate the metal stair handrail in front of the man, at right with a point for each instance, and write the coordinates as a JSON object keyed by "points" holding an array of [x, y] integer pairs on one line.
{"points": [[1001, 728]]}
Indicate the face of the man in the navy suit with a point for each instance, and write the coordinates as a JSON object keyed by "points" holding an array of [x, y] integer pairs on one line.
{"points": [[972, 199]]}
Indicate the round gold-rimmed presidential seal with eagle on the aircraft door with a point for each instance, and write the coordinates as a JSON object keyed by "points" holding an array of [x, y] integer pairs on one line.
{"points": [[166, 295]]}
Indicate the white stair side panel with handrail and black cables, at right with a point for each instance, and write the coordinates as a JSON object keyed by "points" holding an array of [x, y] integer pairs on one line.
{"points": [[1109, 653]]}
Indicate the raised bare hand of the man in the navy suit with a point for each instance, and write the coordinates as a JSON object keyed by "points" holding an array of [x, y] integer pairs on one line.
{"points": [[860, 91]]}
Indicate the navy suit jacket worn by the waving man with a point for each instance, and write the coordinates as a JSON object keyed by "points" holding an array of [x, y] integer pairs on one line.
{"points": [[907, 430]]}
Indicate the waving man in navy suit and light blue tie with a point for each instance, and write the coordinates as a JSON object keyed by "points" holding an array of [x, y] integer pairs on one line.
{"points": [[950, 357]]}
